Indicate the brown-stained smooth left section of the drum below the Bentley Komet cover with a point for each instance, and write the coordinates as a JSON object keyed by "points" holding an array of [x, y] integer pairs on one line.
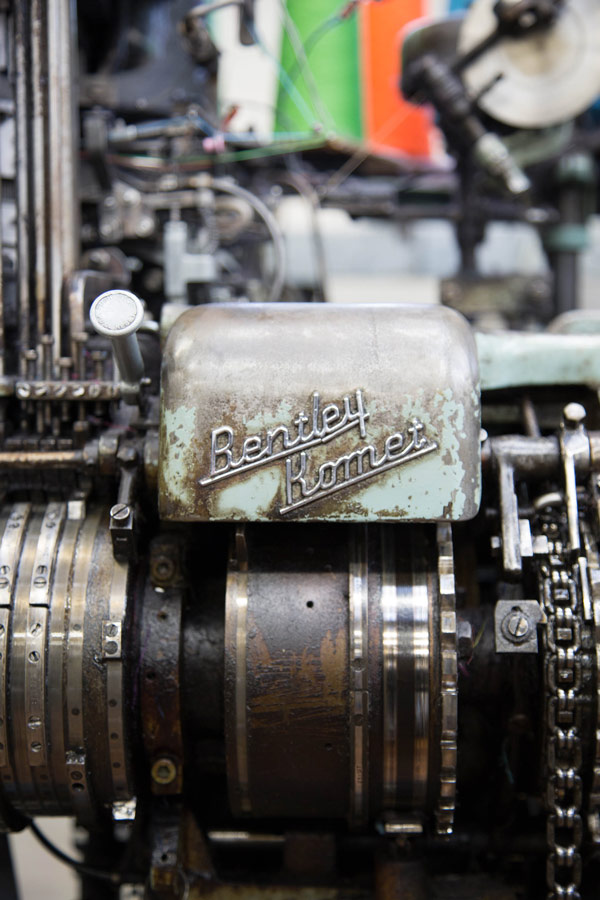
{"points": [[286, 704]]}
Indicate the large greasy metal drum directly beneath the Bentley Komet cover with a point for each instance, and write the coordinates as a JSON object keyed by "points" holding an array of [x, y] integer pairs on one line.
{"points": [[312, 728]]}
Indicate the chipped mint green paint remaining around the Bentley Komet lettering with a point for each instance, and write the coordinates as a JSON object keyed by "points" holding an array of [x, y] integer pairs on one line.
{"points": [[430, 487]]}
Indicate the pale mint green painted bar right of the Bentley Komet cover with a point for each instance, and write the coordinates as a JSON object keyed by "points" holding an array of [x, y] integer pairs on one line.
{"points": [[515, 359]]}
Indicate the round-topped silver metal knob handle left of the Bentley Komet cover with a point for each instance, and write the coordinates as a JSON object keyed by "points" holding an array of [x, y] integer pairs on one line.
{"points": [[118, 314]]}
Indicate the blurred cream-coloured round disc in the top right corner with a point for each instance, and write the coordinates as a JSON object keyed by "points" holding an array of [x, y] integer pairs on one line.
{"points": [[539, 80]]}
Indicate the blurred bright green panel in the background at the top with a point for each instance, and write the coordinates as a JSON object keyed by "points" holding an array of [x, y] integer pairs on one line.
{"points": [[333, 56]]}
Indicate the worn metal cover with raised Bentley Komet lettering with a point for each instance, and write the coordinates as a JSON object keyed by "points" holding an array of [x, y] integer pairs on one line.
{"points": [[356, 413]]}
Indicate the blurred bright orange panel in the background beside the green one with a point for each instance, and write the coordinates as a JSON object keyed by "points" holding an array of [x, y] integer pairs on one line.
{"points": [[389, 122]]}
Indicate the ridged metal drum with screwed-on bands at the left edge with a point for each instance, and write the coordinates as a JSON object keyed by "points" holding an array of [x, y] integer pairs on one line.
{"points": [[63, 734]]}
